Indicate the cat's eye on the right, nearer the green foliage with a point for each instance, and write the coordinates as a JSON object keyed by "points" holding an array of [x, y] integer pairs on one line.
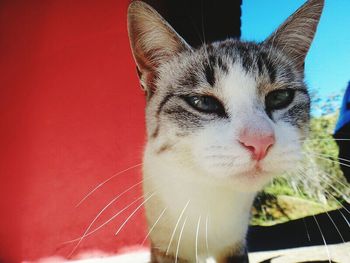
{"points": [[279, 99]]}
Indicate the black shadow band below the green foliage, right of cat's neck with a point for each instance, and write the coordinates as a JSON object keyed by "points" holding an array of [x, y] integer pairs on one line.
{"points": [[302, 232]]}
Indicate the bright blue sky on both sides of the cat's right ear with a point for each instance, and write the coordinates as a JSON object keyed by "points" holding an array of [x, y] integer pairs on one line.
{"points": [[327, 66]]}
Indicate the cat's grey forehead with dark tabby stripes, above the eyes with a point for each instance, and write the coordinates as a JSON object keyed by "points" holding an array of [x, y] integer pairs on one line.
{"points": [[211, 64]]}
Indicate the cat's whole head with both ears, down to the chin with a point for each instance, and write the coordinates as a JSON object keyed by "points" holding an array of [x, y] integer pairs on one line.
{"points": [[230, 110]]}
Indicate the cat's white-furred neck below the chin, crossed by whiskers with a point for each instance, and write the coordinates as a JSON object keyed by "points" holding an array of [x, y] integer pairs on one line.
{"points": [[223, 211]]}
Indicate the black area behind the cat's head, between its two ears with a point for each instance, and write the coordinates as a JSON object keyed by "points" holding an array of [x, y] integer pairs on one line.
{"points": [[199, 21]]}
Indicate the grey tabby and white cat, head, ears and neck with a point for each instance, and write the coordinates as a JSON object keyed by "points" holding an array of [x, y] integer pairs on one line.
{"points": [[222, 120]]}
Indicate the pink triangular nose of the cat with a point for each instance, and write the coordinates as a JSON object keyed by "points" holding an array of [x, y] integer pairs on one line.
{"points": [[258, 144]]}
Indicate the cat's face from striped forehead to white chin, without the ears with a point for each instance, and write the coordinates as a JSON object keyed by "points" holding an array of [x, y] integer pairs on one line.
{"points": [[206, 99]]}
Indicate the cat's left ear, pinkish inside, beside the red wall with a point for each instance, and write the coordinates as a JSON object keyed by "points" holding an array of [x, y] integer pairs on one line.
{"points": [[153, 41]]}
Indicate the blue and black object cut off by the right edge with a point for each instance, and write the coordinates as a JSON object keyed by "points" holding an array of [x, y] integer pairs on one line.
{"points": [[342, 134]]}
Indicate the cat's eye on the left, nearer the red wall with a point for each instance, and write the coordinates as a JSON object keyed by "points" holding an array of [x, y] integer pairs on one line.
{"points": [[207, 104]]}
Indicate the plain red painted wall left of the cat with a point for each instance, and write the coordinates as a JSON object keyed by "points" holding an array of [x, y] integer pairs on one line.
{"points": [[71, 116]]}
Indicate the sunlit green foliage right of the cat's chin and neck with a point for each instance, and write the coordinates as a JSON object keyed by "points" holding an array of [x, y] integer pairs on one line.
{"points": [[317, 180]]}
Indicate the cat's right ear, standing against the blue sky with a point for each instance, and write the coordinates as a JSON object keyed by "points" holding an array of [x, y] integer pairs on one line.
{"points": [[295, 35]]}
